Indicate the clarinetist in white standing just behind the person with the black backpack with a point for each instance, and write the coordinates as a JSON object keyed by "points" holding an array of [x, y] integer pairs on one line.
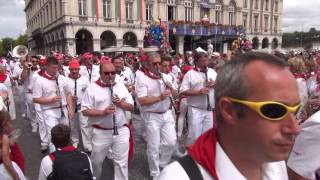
{"points": [[54, 96]]}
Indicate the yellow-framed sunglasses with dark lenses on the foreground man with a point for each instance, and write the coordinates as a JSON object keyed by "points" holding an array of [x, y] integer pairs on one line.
{"points": [[270, 110]]}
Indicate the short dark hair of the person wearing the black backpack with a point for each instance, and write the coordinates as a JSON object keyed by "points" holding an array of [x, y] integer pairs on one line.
{"points": [[60, 135]]}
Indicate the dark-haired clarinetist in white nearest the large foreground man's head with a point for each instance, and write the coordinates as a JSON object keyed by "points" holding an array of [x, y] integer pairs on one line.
{"points": [[198, 85]]}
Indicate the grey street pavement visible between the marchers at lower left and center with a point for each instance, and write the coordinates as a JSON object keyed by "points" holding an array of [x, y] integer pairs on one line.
{"points": [[30, 145]]}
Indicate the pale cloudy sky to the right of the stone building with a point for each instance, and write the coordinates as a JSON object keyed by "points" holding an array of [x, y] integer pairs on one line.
{"points": [[298, 15]]}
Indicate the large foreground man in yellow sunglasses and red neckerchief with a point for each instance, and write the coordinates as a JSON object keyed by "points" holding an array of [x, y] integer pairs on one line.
{"points": [[257, 98]]}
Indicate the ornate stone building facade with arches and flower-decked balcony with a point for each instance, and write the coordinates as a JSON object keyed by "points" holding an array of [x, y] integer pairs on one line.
{"points": [[77, 26]]}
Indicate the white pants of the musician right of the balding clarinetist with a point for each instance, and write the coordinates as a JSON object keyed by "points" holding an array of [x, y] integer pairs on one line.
{"points": [[161, 140]]}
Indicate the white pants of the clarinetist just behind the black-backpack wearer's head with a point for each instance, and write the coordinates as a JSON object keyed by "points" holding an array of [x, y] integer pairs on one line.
{"points": [[51, 118]]}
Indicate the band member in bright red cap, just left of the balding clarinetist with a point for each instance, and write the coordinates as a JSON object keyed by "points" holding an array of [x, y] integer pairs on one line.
{"points": [[78, 84]]}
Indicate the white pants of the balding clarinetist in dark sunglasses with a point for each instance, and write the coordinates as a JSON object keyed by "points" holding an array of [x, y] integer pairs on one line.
{"points": [[116, 148]]}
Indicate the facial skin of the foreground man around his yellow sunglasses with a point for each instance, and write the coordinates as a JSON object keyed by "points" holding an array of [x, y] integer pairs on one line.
{"points": [[267, 140]]}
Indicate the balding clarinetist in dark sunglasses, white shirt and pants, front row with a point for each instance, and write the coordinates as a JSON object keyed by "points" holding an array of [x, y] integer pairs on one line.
{"points": [[105, 103]]}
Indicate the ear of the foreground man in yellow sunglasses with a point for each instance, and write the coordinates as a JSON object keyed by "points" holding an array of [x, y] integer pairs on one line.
{"points": [[227, 111]]}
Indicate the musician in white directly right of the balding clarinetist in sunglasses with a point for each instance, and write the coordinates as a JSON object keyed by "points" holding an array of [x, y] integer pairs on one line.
{"points": [[154, 97]]}
